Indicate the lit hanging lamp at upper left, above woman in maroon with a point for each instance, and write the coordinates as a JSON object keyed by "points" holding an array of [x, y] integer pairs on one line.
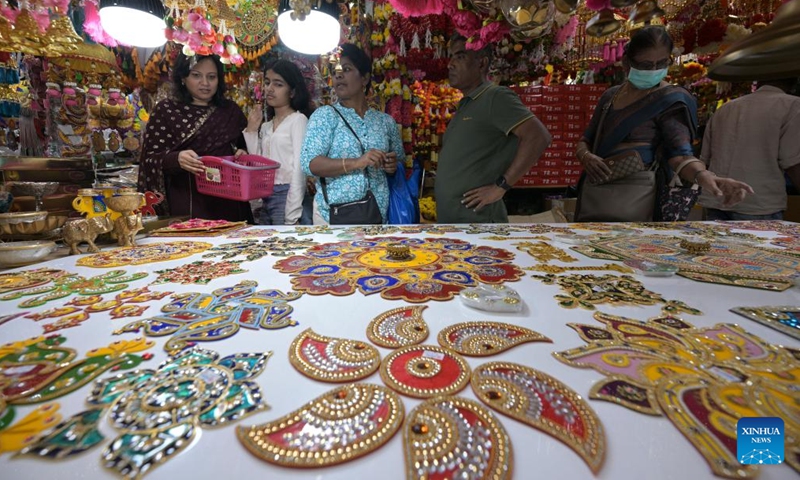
{"points": [[139, 23]]}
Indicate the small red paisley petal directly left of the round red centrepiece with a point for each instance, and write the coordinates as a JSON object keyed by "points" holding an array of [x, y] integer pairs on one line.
{"points": [[333, 359]]}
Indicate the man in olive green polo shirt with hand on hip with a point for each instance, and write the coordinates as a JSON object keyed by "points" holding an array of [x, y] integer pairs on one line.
{"points": [[491, 142]]}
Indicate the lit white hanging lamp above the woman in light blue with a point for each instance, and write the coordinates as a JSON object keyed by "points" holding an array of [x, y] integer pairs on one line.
{"points": [[309, 26]]}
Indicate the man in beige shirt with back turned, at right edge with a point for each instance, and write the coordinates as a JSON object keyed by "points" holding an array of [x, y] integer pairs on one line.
{"points": [[755, 138]]}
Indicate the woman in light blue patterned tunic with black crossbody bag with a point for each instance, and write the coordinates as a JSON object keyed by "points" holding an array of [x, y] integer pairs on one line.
{"points": [[349, 145]]}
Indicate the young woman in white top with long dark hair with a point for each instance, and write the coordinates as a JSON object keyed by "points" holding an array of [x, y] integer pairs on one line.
{"points": [[280, 139]]}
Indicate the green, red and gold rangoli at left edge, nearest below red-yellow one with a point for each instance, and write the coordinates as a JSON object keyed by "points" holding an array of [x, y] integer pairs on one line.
{"points": [[66, 285]]}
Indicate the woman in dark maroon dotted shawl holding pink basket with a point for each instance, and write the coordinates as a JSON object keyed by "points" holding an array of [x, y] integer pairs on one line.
{"points": [[198, 121]]}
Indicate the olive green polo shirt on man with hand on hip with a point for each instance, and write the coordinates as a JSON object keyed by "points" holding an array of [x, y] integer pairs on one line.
{"points": [[476, 149]]}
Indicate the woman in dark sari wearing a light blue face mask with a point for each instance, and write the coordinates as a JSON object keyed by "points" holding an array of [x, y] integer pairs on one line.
{"points": [[649, 117]]}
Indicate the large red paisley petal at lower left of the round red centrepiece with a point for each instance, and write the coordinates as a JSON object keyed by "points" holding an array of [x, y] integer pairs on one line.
{"points": [[345, 423]]}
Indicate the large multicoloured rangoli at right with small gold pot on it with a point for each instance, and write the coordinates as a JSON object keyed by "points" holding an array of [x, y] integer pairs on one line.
{"points": [[725, 263]]}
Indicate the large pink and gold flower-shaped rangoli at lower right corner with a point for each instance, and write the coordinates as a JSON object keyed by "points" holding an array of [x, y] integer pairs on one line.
{"points": [[702, 379]]}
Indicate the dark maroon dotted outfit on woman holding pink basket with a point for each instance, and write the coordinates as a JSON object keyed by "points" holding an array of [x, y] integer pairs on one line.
{"points": [[176, 126]]}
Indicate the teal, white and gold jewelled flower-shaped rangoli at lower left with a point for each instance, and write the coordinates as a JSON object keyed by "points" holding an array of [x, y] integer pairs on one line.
{"points": [[159, 412]]}
